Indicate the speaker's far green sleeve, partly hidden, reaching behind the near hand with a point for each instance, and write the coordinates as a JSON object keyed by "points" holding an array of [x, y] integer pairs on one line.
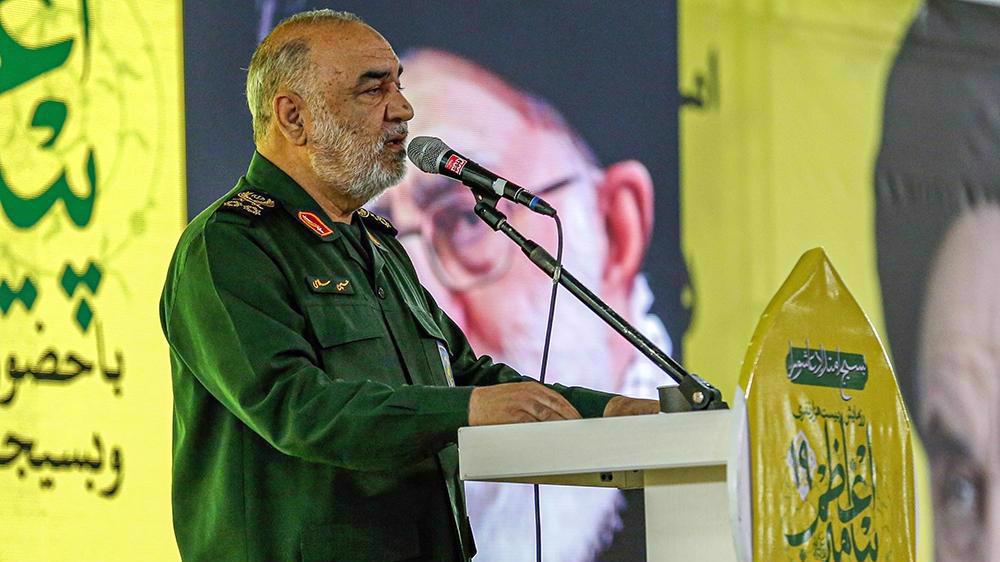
{"points": [[472, 370]]}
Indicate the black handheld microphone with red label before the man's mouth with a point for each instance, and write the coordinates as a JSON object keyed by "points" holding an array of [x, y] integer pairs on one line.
{"points": [[433, 156]]}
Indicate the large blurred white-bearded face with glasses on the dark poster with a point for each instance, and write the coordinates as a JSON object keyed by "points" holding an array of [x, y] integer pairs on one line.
{"points": [[499, 298]]}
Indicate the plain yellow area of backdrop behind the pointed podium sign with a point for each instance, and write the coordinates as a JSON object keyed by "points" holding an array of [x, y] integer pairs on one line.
{"points": [[769, 170]]}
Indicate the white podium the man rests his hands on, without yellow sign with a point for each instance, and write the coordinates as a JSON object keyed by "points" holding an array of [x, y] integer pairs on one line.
{"points": [[679, 459]]}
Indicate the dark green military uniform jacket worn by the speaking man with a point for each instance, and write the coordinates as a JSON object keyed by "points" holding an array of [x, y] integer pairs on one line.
{"points": [[317, 390]]}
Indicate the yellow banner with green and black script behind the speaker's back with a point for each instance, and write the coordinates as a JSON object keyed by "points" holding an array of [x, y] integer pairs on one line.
{"points": [[91, 200]]}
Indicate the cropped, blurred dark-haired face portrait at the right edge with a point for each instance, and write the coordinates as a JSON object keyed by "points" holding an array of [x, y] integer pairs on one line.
{"points": [[937, 193]]}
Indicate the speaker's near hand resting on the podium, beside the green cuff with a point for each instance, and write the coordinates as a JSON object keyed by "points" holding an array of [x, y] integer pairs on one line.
{"points": [[518, 402]]}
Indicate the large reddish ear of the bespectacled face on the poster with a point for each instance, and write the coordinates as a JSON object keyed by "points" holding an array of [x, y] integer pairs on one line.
{"points": [[625, 198]]}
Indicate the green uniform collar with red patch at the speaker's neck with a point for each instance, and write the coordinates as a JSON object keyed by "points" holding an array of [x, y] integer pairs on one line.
{"points": [[267, 176]]}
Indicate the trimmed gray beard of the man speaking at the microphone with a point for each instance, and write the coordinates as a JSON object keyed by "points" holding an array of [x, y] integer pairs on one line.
{"points": [[356, 168]]}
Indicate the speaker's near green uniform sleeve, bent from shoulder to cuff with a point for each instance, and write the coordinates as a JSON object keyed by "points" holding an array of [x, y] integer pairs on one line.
{"points": [[230, 318]]}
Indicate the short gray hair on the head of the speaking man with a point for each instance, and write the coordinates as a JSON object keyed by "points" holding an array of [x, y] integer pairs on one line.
{"points": [[278, 63]]}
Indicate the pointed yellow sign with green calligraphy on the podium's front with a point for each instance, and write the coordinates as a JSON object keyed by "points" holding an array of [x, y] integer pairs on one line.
{"points": [[831, 463]]}
